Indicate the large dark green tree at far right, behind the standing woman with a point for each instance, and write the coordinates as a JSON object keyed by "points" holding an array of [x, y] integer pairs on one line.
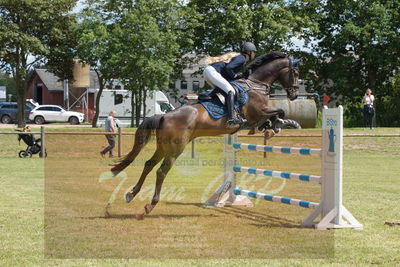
{"points": [[357, 44]]}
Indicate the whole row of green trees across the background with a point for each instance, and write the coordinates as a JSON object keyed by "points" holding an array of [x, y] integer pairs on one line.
{"points": [[348, 45]]}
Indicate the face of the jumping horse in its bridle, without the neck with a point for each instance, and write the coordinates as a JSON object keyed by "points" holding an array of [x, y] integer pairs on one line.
{"points": [[289, 77]]}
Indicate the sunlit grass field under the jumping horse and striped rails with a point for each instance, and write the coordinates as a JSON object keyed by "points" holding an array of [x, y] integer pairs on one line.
{"points": [[53, 209]]}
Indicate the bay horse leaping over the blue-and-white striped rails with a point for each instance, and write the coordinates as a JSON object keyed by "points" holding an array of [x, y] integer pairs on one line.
{"points": [[174, 130]]}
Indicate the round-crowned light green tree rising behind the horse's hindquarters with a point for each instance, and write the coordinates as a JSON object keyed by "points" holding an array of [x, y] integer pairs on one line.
{"points": [[137, 42]]}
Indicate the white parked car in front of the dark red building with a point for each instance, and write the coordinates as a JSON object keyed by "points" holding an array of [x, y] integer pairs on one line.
{"points": [[53, 113]]}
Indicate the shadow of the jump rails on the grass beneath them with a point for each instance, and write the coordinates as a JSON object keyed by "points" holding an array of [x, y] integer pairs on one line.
{"points": [[259, 219]]}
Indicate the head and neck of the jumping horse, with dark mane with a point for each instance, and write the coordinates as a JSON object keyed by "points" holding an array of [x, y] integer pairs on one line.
{"points": [[277, 66]]}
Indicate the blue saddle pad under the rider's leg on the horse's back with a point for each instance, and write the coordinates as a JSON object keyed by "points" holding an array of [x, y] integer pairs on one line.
{"points": [[217, 110]]}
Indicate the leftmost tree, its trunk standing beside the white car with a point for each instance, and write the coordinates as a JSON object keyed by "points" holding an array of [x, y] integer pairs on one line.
{"points": [[30, 29]]}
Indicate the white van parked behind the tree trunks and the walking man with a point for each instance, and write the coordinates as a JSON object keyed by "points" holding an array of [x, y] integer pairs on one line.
{"points": [[120, 101]]}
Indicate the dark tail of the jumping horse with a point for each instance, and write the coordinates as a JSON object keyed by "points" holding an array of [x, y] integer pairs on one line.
{"points": [[142, 137]]}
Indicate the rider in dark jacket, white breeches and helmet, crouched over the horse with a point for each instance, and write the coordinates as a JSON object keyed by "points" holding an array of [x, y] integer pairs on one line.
{"points": [[219, 74]]}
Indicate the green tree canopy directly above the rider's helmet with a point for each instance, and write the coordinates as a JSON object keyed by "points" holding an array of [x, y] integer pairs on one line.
{"points": [[224, 25]]}
